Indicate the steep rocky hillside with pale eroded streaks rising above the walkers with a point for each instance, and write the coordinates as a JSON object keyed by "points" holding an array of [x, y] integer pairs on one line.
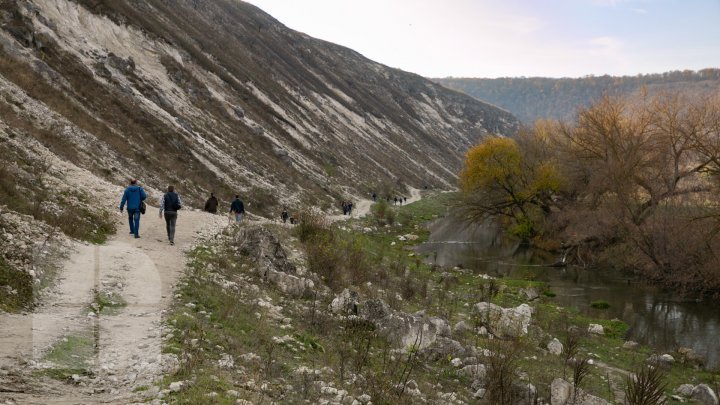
{"points": [[219, 96]]}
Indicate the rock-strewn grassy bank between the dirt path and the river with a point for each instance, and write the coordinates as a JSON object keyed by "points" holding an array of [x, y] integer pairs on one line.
{"points": [[350, 312]]}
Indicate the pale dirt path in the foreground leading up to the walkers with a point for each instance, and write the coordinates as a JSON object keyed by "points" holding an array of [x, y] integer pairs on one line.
{"points": [[120, 347]]}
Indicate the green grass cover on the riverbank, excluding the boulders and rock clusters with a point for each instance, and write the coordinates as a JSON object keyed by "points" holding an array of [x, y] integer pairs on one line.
{"points": [[284, 358]]}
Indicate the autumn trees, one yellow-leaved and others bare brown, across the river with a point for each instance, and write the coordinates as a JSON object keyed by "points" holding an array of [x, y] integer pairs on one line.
{"points": [[630, 183]]}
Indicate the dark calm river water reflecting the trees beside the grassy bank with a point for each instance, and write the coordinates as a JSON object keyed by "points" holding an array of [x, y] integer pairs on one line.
{"points": [[656, 317]]}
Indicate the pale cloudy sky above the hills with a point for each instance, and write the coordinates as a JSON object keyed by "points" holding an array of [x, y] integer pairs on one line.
{"points": [[513, 38]]}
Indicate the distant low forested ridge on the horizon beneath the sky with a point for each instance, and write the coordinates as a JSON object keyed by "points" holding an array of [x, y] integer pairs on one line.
{"points": [[530, 98]]}
